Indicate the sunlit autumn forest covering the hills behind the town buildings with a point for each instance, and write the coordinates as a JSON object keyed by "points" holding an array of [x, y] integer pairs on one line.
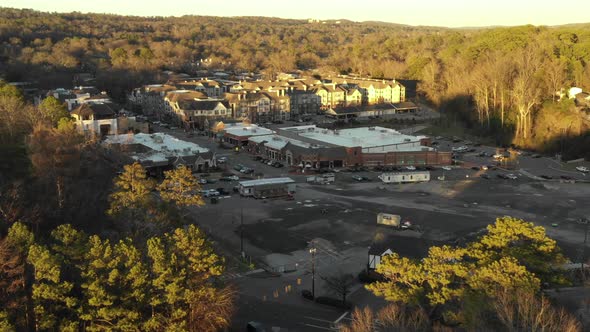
{"points": [[498, 82]]}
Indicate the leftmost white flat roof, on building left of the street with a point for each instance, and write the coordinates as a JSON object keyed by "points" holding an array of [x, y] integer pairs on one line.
{"points": [[162, 146]]}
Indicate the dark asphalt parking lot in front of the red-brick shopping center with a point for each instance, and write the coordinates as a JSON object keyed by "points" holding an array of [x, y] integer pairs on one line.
{"points": [[340, 220]]}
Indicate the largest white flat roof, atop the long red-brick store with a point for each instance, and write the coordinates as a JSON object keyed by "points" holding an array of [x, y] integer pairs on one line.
{"points": [[364, 137]]}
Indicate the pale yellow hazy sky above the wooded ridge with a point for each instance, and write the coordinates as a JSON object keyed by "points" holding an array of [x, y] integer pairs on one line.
{"points": [[450, 13]]}
